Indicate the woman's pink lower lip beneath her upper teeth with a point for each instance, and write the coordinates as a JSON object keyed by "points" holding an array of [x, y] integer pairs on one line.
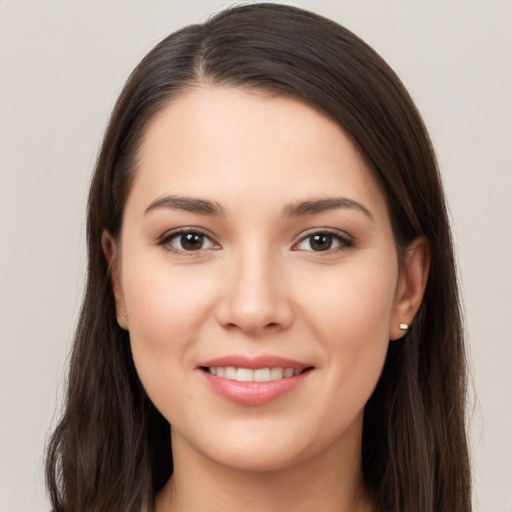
{"points": [[254, 393]]}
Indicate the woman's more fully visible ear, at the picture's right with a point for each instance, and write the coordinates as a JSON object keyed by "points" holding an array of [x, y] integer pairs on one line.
{"points": [[412, 281]]}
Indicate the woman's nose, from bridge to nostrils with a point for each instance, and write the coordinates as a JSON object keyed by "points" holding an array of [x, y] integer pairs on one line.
{"points": [[254, 298]]}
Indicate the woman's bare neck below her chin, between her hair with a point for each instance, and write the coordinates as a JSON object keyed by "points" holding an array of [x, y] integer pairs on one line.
{"points": [[331, 481]]}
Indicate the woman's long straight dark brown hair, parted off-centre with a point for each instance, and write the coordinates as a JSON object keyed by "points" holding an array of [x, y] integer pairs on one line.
{"points": [[111, 450]]}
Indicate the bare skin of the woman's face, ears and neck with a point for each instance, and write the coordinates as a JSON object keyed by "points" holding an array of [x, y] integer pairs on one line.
{"points": [[257, 287]]}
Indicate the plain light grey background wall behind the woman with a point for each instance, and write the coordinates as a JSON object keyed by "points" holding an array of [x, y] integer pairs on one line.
{"points": [[62, 64]]}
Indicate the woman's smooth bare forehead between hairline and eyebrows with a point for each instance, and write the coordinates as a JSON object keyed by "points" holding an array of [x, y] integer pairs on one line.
{"points": [[229, 143]]}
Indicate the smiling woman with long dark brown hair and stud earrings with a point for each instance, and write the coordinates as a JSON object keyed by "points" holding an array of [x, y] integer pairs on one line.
{"points": [[271, 315]]}
